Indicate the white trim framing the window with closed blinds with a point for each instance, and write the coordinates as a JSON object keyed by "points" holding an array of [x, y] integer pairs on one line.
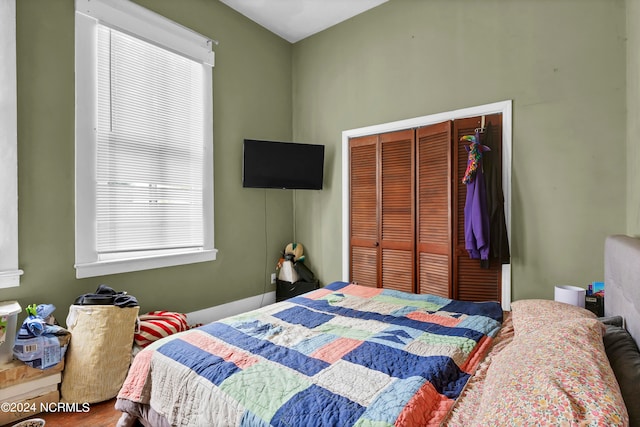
{"points": [[133, 19]]}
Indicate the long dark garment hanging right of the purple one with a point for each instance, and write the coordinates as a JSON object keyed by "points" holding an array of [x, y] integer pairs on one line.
{"points": [[499, 248]]}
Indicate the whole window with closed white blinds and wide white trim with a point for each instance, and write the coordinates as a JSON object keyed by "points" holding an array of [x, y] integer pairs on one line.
{"points": [[144, 150]]}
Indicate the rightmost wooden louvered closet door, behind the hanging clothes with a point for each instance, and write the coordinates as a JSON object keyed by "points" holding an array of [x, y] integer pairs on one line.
{"points": [[471, 282]]}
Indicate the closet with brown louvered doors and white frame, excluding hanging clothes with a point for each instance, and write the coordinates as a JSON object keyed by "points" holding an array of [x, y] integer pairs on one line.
{"points": [[416, 244]]}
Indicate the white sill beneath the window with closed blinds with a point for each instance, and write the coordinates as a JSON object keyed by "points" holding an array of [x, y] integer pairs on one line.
{"points": [[102, 268]]}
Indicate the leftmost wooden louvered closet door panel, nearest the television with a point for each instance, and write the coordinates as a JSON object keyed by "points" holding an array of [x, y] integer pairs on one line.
{"points": [[363, 199]]}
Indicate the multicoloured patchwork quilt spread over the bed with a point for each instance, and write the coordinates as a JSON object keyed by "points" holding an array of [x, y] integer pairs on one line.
{"points": [[342, 355]]}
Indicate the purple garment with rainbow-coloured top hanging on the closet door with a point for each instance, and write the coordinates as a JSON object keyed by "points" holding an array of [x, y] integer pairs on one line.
{"points": [[476, 218]]}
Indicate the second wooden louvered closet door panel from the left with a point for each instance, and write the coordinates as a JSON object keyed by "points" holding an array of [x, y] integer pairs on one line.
{"points": [[397, 218]]}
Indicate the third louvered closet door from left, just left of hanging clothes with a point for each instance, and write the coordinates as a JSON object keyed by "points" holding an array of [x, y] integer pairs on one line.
{"points": [[433, 171]]}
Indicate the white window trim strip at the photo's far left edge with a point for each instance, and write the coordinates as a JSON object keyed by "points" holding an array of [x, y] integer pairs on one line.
{"points": [[9, 271]]}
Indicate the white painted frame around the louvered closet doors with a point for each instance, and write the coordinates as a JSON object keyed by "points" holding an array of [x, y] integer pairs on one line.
{"points": [[503, 107]]}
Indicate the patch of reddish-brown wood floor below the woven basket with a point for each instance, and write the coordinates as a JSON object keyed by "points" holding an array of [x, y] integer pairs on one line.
{"points": [[101, 414]]}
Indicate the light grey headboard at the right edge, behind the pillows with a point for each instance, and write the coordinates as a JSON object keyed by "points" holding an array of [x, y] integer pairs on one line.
{"points": [[622, 281]]}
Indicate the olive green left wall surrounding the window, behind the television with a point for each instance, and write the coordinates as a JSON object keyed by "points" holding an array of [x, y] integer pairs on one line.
{"points": [[252, 99]]}
